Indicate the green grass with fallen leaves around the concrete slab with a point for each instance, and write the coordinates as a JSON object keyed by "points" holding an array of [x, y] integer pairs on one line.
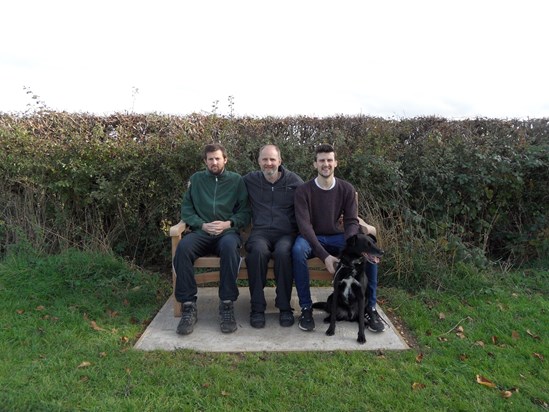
{"points": [[47, 305]]}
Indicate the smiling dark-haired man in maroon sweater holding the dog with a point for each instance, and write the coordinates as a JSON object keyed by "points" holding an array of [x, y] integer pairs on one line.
{"points": [[319, 204]]}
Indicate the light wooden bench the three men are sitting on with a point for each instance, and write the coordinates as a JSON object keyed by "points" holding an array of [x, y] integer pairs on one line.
{"points": [[317, 269]]}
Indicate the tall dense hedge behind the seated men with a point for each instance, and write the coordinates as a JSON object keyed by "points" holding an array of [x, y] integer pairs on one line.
{"points": [[472, 189]]}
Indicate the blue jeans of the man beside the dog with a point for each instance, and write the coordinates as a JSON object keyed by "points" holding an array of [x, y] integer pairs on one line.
{"points": [[333, 244]]}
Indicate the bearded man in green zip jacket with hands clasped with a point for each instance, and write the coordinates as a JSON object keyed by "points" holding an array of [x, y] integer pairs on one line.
{"points": [[215, 207]]}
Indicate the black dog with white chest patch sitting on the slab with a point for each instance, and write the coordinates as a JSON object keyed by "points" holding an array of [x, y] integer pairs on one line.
{"points": [[350, 283]]}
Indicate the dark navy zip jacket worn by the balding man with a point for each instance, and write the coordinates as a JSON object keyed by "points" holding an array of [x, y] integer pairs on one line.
{"points": [[273, 203]]}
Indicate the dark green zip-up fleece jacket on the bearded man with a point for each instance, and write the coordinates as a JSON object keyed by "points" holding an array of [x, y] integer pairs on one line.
{"points": [[210, 197]]}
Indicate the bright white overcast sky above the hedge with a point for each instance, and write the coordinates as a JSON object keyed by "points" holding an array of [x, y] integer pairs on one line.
{"points": [[389, 58]]}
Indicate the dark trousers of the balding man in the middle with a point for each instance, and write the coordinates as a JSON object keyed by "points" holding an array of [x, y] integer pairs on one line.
{"points": [[260, 247]]}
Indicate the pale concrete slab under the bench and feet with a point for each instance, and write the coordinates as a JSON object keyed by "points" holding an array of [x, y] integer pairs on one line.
{"points": [[207, 337]]}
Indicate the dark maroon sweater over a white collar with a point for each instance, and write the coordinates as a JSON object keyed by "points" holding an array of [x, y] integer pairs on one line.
{"points": [[318, 211]]}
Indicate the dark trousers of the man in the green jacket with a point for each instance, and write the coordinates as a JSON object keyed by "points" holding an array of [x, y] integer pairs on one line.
{"points": [[196, 244]]}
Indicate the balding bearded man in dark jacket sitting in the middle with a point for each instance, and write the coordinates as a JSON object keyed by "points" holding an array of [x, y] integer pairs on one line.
{"points": [[274, 228]]}
